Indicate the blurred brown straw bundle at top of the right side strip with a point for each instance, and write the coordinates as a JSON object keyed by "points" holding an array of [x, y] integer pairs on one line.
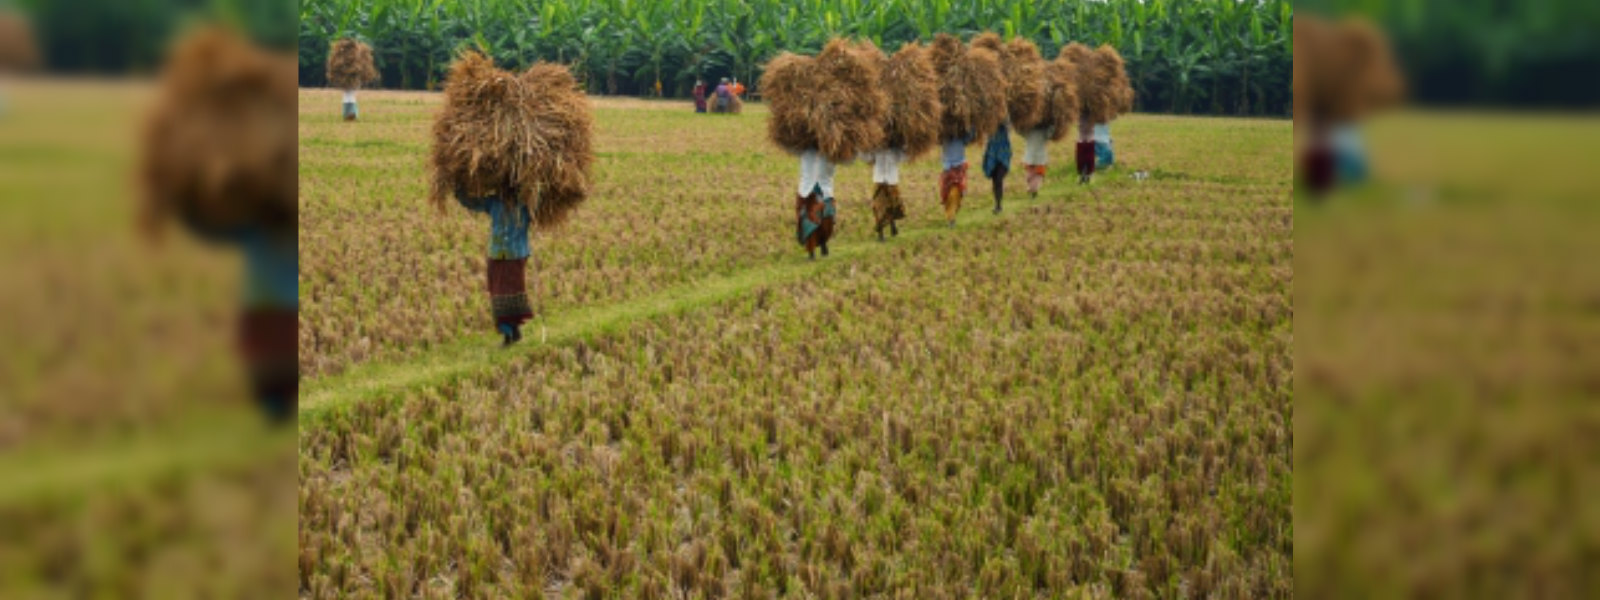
{"points": [[1343, 71]]}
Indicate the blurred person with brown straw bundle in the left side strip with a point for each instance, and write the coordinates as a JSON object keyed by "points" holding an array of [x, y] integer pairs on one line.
{"points": [[218, 159]]}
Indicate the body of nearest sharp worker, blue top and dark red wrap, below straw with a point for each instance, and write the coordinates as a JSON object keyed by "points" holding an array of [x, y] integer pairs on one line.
{"points": [[508, 260]]}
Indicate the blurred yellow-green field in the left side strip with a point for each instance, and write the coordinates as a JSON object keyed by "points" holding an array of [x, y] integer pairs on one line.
{"points": [[132, 463]]}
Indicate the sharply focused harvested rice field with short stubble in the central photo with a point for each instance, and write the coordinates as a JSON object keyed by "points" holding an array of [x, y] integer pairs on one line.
{"points": [[1086, 396]]}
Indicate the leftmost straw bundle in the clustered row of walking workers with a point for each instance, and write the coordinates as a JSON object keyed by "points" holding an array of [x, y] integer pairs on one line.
{"points": [[831, 103]]}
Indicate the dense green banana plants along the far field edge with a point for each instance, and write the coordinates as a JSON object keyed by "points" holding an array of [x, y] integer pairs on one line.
{"points": [[1196, 57]]}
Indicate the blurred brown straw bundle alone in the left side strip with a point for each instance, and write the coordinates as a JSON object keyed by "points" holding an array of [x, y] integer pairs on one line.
{"points": [[220, 148]]}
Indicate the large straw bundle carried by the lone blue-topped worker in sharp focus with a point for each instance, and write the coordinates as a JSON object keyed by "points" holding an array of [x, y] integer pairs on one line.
{"points": [[530, 134]]}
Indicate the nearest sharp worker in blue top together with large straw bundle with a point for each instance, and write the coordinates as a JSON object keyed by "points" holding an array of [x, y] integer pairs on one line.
{"points": [[518, 148]]}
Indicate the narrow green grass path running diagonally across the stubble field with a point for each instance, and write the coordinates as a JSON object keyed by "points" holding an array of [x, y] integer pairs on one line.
{"points": [[476, 354]]}
